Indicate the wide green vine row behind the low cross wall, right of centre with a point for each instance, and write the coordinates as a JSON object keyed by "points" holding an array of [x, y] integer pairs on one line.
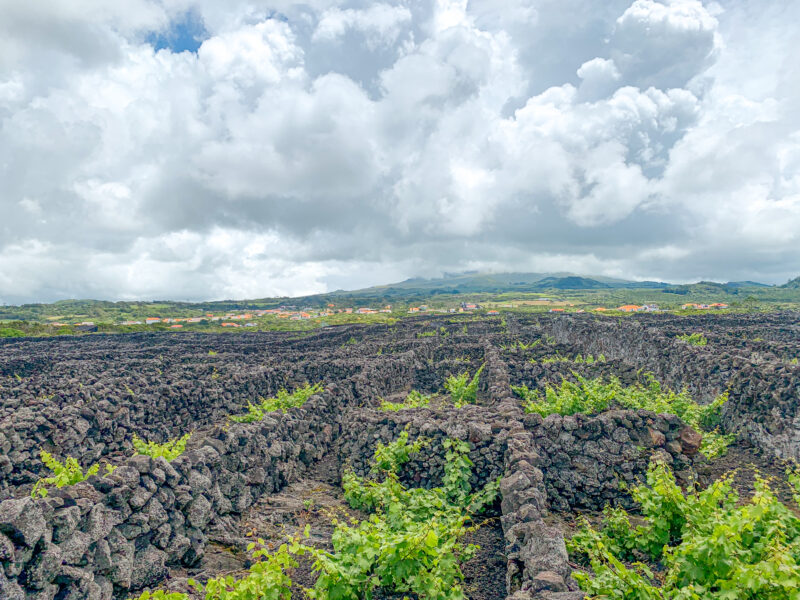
{"points": [[590, 396]]}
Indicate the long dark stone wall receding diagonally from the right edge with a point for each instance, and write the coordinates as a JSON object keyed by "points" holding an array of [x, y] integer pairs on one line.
{"points": [[763, 407]]}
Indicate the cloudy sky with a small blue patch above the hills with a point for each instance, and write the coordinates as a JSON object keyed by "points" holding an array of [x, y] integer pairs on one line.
{"points": [[211, 149]]}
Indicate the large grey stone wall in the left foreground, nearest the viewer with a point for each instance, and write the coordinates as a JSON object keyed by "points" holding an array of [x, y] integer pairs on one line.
{"points": [[117, 533]]}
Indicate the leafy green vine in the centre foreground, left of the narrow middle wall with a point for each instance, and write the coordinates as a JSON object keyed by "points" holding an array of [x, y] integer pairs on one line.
{"points": [[411, 544]]}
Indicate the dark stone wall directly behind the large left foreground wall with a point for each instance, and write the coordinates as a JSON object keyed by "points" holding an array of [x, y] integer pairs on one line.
{"points": [[91, 425]]}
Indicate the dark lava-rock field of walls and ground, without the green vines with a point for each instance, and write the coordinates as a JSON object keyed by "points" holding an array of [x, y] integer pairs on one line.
{"points": [[153, 522]]}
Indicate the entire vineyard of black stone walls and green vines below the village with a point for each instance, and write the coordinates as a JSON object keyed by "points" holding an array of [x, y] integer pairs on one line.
{"points": [[440, 457]]}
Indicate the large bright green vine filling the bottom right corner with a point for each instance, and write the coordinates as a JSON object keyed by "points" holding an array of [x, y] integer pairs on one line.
{"points": [[707, 544]]}
